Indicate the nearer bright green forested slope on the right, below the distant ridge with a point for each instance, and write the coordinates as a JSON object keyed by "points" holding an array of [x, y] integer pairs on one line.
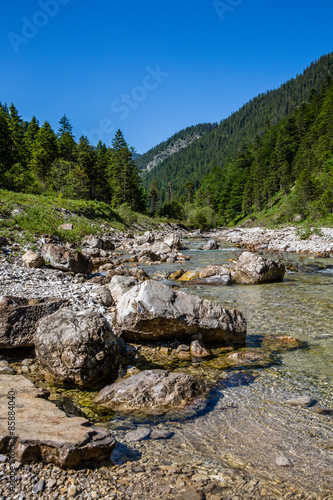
{"points": [[292, 161]]}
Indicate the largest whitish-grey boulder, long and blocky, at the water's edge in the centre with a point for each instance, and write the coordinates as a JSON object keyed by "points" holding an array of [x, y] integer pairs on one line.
{"points": [[153, 311]]}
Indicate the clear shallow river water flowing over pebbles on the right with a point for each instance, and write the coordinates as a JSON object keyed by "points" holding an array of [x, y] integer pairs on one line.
{"points": [[246, 424]]}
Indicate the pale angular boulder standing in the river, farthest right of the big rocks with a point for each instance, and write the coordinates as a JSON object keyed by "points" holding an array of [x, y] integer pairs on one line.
{"points": [[254, 269]]}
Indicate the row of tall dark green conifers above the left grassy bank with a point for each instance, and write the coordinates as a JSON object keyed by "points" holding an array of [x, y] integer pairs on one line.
{"points": [[35, 159]]}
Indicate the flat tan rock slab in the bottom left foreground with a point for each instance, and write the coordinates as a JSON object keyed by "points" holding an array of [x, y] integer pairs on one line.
{"points": [[44, 433]]}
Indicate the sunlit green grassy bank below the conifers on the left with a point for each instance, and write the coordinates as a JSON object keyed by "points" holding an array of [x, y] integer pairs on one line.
{"points": [[23, 217]]}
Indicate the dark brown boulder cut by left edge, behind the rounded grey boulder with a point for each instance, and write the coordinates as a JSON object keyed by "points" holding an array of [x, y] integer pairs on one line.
{"points": [[19, 316]]}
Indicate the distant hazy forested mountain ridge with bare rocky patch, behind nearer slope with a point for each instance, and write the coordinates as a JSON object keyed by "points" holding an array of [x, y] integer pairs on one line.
{"points": [[221, 143]]}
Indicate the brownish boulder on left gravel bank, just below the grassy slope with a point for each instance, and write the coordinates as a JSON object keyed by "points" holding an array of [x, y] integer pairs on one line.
{"points": [[66, 259]]}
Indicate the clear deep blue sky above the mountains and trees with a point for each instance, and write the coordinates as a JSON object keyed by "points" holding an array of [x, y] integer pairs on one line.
{"points": [[152, 68]]}
